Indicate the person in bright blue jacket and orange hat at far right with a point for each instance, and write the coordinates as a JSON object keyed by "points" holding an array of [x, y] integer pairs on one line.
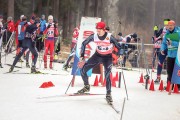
{"points": [[171, 42]]}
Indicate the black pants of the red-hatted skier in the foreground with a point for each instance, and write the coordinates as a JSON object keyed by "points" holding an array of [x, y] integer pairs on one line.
{"points": [[92, 62]]}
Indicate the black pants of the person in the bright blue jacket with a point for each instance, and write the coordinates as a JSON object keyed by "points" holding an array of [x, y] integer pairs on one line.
{"points": [[170, 67]]}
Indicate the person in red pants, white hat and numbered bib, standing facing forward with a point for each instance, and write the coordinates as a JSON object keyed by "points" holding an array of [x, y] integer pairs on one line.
{"points": [[50, 32]]}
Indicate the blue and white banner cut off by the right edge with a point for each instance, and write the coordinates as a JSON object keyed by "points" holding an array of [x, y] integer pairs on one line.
{"points": [[176, 71]]}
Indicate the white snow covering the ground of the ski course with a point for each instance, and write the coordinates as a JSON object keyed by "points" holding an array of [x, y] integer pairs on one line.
{"points": [[22, 99]]}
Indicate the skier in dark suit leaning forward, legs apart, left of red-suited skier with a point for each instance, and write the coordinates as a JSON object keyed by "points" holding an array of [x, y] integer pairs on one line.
{"points": [[28, 42]]}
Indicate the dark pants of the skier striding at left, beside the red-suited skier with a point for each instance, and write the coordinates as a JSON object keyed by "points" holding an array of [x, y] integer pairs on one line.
{"points": [[27, 43]]}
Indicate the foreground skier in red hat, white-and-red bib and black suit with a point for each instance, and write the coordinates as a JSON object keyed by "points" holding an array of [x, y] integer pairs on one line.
{"points": [[103, 54]]}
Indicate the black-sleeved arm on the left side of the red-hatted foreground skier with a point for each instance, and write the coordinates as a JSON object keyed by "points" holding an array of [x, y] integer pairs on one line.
{"points": [[84, 43]]}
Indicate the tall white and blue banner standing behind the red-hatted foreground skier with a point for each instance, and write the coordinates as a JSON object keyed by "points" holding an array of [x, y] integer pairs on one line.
{"points": [[87, 27]]}
